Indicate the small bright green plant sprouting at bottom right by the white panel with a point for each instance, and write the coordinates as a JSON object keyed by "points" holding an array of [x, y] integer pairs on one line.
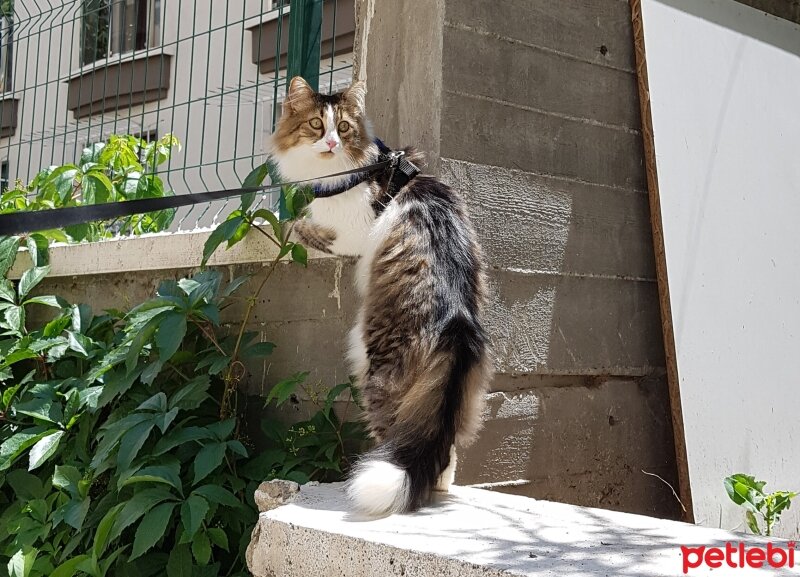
{"points": [[746, 492]]}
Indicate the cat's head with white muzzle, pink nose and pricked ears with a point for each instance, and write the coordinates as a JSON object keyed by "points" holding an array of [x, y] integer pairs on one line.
{"points": [[321, 127]]}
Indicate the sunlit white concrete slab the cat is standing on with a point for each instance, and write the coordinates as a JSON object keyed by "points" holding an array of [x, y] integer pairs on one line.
{"points": [[473, 532]]}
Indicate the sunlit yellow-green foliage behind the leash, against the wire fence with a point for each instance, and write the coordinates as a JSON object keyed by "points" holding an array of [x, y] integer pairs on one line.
{"points": [[124, 168]]}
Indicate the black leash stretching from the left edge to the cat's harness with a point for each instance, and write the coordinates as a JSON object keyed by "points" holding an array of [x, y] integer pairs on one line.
{"points": [[33, 221]]}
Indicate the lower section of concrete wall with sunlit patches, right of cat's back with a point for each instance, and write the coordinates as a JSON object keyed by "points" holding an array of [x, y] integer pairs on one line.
{"points": [[579, 407]]}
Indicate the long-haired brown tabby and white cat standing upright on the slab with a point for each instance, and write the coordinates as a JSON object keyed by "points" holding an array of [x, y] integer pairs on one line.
{"points": [[419, 349]]}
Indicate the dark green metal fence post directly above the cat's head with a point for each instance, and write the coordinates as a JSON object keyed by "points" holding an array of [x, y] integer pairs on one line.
{"points": [[305, 29]]}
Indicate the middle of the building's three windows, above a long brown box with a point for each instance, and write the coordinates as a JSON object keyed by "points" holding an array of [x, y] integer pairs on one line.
{"points": [[119, 26]]}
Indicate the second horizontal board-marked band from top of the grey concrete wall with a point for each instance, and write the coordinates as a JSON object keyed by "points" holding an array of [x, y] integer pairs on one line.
{"points": [[493, 67]]}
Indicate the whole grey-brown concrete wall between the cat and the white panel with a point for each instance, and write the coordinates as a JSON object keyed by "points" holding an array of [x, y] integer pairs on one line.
{"points": [[530, 109]]}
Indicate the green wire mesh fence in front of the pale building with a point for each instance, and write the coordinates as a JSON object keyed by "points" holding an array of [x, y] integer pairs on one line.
{"points": [[211, 72]]}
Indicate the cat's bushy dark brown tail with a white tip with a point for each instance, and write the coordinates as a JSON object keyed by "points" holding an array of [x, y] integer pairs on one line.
{"points": [[443, 404]]}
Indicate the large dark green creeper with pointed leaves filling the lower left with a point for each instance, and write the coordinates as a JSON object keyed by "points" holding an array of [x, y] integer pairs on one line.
{"points": [[122, 449]]}
